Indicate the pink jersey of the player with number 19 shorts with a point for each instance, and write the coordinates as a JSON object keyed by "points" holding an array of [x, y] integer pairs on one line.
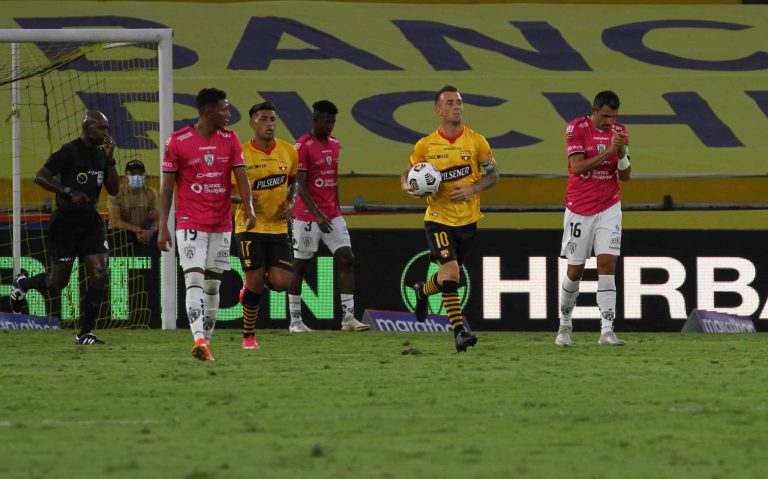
{"points": [[203, 170]]}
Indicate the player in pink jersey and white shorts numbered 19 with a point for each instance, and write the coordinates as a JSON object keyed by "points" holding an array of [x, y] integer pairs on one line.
{"points": [[199, 161]]}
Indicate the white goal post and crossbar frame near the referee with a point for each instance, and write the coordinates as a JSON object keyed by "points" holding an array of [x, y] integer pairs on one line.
{"points": [[16, 71]]}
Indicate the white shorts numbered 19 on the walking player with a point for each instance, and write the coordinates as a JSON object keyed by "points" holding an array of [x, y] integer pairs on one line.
{"points": [[198, 249]]}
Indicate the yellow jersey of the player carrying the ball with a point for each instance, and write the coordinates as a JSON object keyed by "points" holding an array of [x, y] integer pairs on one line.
{"points": [[458, 160]]}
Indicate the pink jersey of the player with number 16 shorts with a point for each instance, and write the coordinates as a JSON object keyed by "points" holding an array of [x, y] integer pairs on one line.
{"points": [[598, 189]]}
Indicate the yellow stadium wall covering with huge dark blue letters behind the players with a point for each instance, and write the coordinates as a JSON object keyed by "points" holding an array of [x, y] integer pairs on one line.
{"points": [[708, 55]]}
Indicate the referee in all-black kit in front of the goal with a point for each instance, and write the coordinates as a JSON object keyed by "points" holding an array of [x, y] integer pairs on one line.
{"points": [[76, 173]]}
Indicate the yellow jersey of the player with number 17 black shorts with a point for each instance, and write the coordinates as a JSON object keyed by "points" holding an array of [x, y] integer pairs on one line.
{"points": [[269, 172]]}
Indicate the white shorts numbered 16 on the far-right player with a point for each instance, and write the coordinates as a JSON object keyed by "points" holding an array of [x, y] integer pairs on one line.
{"points": [[600, 233]]}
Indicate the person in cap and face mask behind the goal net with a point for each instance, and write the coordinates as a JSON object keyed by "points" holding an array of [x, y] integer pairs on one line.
{"points": [[135, 207]]}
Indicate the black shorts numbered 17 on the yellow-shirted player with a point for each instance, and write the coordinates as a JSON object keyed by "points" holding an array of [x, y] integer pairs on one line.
{"points": [[262, 249]]}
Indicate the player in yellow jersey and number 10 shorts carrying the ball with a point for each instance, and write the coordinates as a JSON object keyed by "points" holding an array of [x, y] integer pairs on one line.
{"points": [[467, 167]]}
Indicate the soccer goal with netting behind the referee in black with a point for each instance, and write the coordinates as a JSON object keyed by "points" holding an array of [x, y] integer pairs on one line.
{"points": [[48, 80]]}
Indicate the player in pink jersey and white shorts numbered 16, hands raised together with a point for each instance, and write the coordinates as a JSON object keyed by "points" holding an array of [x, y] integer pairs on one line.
{"points": [[598, 157]]}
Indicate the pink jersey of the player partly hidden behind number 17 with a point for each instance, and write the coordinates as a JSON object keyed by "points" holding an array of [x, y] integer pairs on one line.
{"points": [[321, 162]]}
